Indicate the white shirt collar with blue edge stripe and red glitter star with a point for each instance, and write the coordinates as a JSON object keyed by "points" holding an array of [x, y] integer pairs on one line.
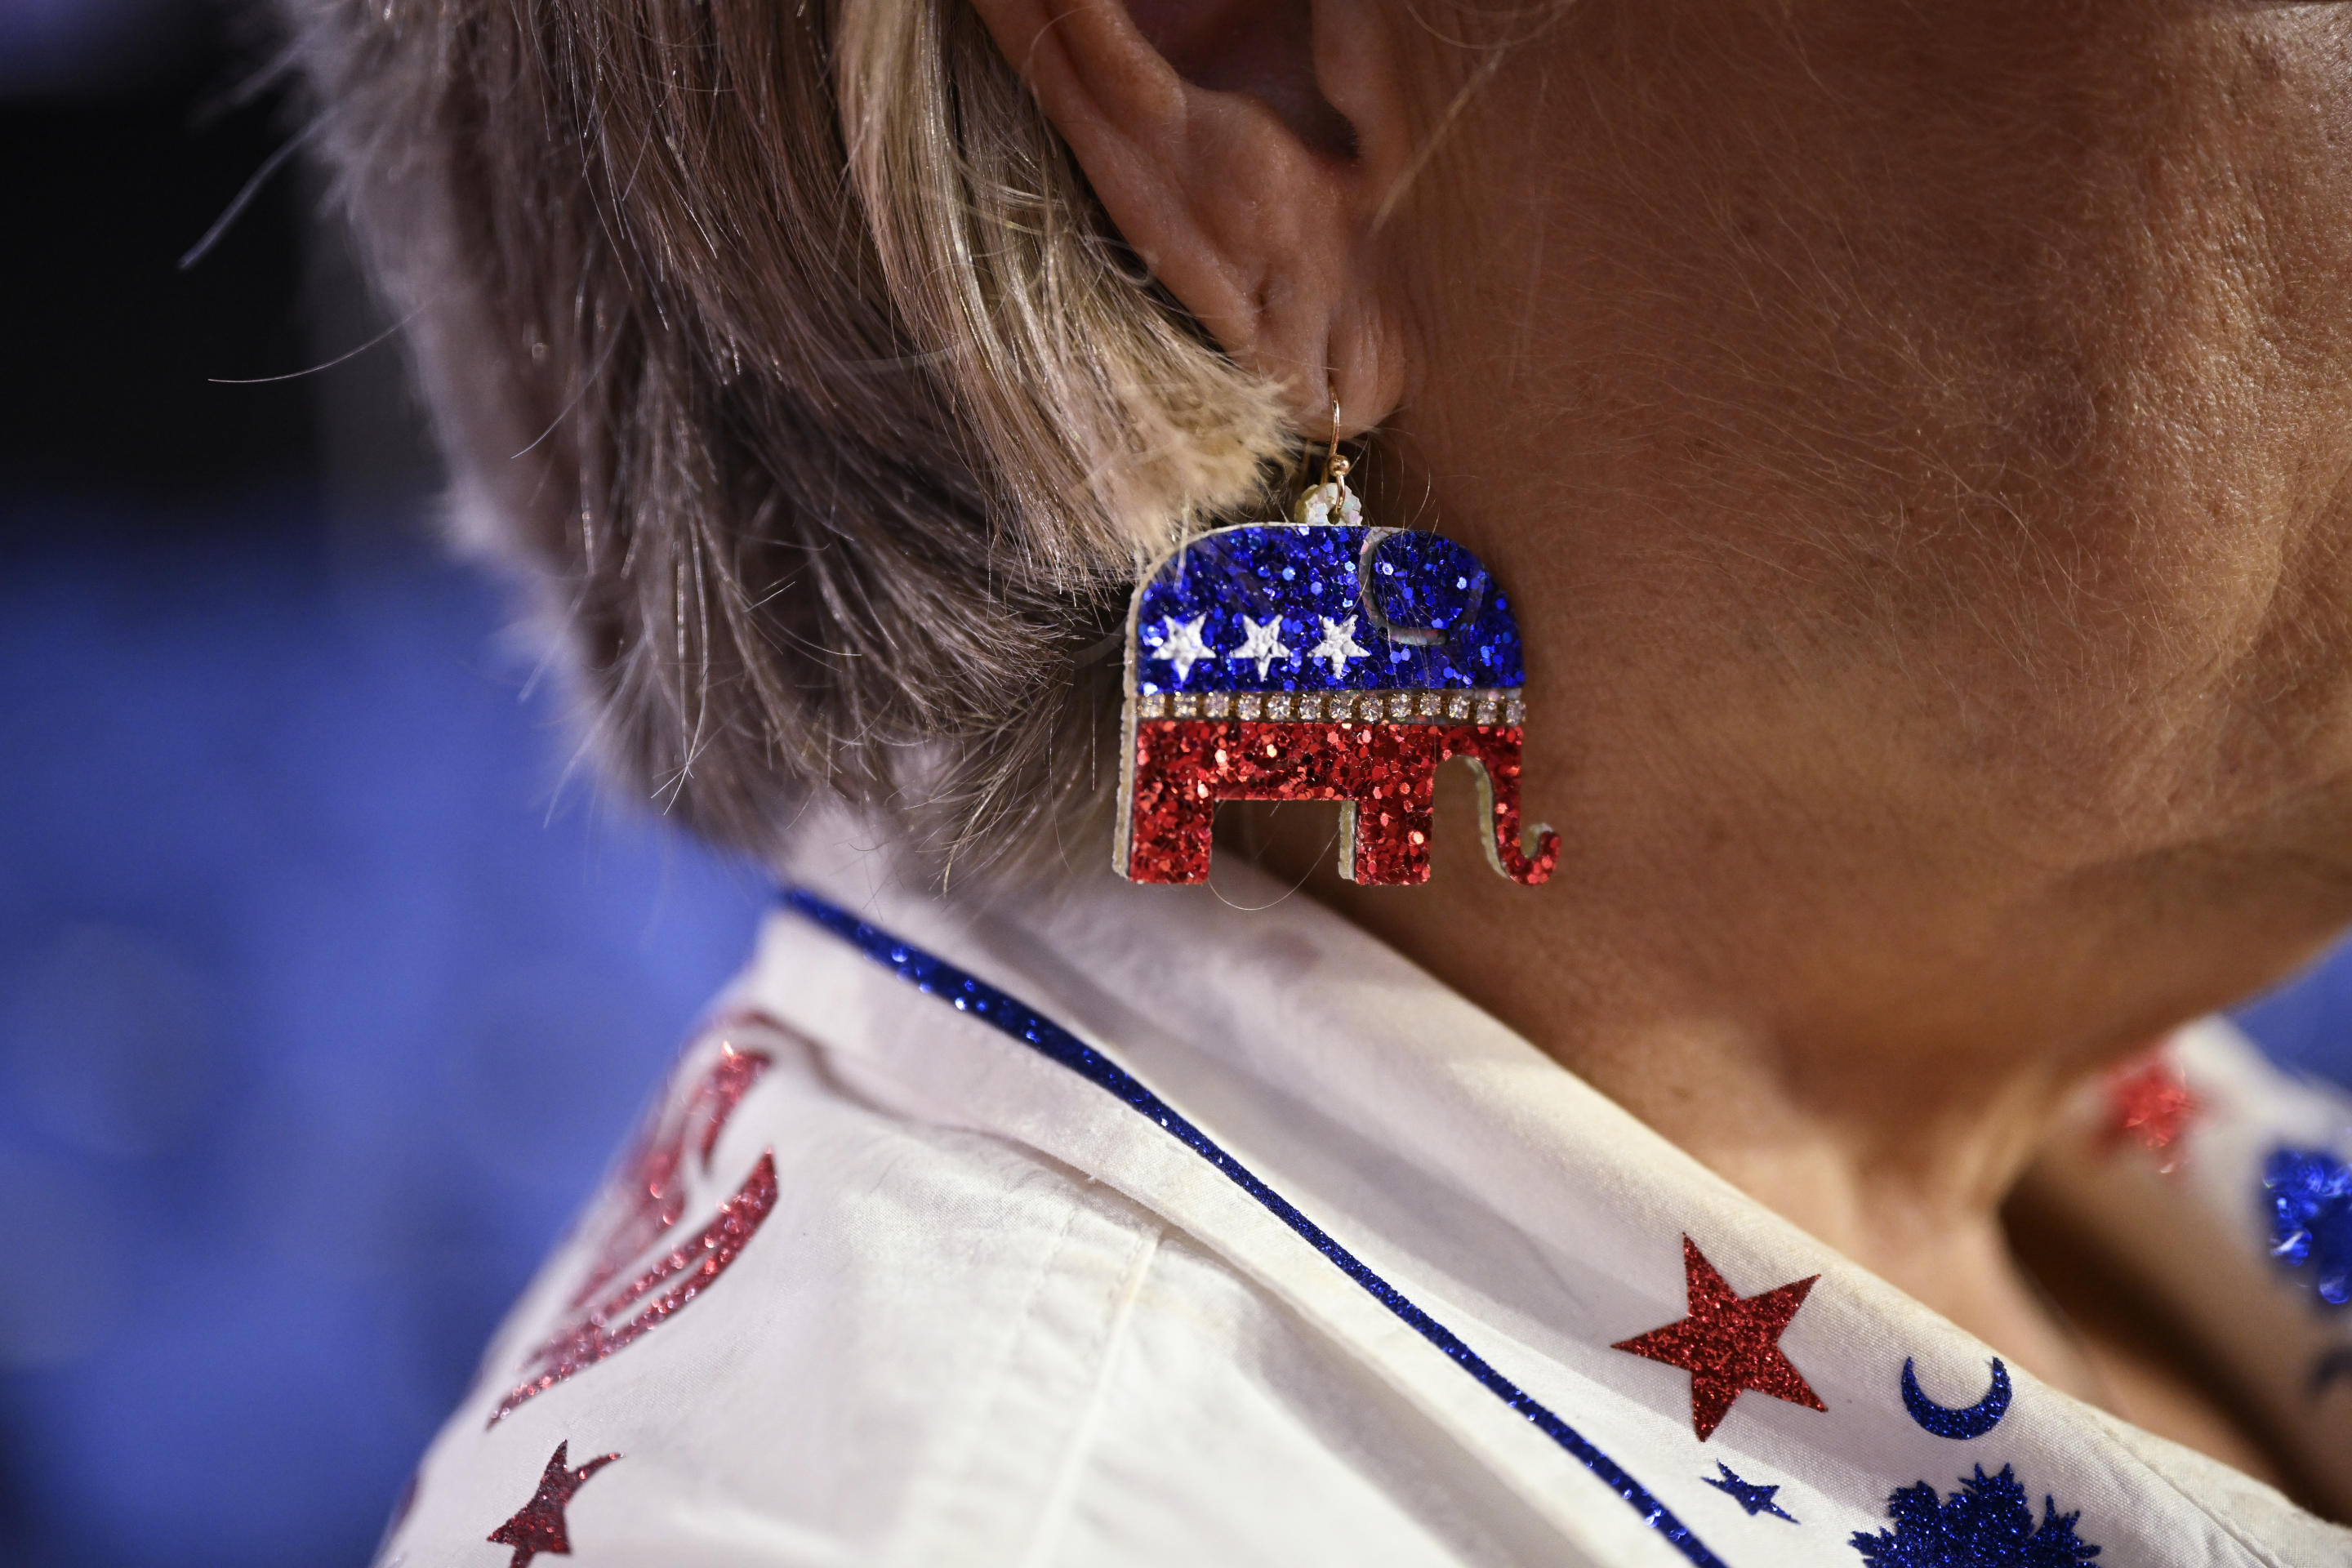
{"points": [[1504, 1195]]}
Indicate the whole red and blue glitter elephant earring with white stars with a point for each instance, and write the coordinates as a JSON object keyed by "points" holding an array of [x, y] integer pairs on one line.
{"points": [[1321, 662]]}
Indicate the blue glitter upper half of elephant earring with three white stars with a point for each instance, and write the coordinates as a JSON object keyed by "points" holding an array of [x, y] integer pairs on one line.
{"points": [[1426, 612]]}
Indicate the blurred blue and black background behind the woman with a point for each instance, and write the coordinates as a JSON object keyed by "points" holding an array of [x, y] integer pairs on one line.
{"points": [[326, 986]]}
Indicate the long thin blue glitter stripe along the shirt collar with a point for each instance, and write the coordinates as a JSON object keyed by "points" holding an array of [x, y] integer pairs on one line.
{"points": [[968, 996]]}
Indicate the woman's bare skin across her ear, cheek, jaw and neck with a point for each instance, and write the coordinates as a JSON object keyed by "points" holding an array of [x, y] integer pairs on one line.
{"points": [[1916, 443]]}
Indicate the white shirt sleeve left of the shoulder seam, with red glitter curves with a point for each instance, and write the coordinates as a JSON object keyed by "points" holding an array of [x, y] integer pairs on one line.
{"points": [[900, 1334]]}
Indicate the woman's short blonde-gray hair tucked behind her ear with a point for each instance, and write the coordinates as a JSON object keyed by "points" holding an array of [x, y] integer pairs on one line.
{"points": [[789, 351]]}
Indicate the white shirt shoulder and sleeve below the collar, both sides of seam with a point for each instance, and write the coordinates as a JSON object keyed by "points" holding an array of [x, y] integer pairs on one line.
{"points": [[930, 1346]]}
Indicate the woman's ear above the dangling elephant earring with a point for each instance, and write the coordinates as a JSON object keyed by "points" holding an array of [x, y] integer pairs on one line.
{"points": [[1243, 149]]}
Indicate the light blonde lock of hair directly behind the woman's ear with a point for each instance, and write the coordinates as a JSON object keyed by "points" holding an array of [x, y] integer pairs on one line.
{"points": [[1102, 406]]}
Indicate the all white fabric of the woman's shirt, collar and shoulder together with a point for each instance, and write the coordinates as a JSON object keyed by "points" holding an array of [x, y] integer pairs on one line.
{"points": [[1003, 1318]]}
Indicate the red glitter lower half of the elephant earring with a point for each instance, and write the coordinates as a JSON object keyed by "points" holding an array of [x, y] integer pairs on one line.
{"points": [[1389, 772]]}
